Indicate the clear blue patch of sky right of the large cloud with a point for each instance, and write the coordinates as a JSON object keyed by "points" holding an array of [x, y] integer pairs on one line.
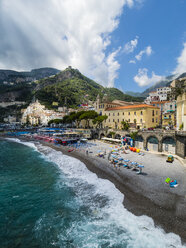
{"points": [[159, 24]]}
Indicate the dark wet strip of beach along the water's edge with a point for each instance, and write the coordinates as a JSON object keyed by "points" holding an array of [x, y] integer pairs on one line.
{"points": [[167, 208]]}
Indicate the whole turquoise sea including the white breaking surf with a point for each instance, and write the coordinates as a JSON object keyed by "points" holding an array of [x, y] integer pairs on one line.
{"points": [[50, 200]]}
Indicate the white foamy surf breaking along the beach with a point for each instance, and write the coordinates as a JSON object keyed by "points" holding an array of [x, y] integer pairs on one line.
{"points": [[111, 225]]}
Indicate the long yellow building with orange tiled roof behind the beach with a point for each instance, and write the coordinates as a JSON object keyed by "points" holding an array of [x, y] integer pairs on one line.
{"points": [[138, 116]]}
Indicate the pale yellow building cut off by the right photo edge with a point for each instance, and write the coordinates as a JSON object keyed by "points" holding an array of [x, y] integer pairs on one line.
{"points": [[181, 112]]}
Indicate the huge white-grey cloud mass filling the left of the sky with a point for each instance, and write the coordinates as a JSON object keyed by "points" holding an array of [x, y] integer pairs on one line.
{"points": [[60, 33]]}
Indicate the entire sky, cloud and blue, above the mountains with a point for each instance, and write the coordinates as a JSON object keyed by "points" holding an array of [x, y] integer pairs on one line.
{"points": [[128, 44]]}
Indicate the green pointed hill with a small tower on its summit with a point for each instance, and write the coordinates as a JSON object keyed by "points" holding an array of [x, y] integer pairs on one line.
{"points": [[73, 88]]}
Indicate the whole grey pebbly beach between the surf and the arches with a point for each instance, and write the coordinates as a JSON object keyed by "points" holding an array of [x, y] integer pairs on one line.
{"points": [[146, 193]]}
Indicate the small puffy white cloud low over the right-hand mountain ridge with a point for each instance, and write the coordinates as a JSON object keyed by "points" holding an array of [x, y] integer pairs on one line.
{"points": [[142, 78]]}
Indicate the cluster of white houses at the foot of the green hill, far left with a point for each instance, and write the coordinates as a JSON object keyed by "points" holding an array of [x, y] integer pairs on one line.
{"points": [[36, 114]]}
